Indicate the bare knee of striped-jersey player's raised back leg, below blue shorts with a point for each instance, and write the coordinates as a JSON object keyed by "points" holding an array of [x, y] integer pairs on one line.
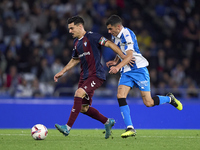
{"points": [[146, 97]]}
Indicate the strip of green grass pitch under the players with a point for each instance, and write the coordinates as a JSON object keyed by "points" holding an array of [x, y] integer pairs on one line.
{"points": [[78, 139]]}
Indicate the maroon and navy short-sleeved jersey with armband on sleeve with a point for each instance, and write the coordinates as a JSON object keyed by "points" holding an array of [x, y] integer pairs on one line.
{"points": [[88, 50]]}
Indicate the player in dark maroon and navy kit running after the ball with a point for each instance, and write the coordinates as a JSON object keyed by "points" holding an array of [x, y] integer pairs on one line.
{"points": [[87, 52]]}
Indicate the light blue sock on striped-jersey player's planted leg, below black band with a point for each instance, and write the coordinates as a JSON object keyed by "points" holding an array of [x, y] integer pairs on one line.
{"points": [[125, 112]]}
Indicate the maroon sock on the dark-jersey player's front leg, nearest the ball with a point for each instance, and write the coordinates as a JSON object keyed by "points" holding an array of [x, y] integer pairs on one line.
{"points": [[75, 111]]}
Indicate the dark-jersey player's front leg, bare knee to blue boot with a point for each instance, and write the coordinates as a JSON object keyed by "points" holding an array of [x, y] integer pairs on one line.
{"points": [[65, 129]]}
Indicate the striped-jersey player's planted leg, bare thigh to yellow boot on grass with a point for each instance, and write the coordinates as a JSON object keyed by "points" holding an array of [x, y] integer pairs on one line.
{"points": [[122, 93]]}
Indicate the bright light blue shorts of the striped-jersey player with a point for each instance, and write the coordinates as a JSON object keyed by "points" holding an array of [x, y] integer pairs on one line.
{"points": [[138, 78]]}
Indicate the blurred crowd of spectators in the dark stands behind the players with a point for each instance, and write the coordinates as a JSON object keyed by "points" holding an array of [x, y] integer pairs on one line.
{"points": [[35, 44]]}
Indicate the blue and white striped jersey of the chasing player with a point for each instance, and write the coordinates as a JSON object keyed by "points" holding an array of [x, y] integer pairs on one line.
{"points": [[126, 40]]}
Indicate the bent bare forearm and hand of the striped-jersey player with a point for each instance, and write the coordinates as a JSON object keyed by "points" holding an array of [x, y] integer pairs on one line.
{"points": [[125, 61]]}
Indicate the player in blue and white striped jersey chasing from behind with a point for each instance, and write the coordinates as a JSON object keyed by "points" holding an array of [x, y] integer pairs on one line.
{"points": [[136, 75]]}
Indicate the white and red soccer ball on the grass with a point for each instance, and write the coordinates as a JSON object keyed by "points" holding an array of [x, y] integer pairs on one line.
{"points": [[39, 132]]}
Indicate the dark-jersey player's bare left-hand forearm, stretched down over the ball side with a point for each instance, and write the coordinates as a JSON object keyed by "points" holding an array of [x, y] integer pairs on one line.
{"points": [[73, 62]]}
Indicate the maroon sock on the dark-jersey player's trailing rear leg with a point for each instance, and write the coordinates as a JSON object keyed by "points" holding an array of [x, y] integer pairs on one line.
{"points": [[95, 114]]}
